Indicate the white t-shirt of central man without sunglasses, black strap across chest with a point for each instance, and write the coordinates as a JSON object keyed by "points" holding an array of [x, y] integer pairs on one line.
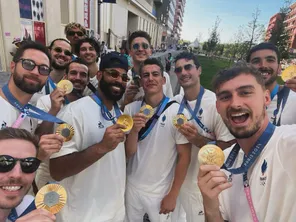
{"points": [[151, 168]]}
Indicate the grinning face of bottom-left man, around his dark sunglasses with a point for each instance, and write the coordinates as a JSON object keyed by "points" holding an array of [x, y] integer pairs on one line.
{"points": [[15, 184]]}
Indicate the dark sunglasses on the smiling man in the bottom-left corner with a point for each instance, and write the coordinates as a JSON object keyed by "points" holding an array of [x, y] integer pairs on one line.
{"points": [[28, 165]]}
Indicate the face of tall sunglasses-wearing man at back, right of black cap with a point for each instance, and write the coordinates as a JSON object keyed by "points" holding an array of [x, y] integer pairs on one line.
{"points": [[139, 50]]}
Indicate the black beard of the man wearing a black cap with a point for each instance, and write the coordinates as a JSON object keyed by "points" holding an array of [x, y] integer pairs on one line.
{"points": [[106, 89]]}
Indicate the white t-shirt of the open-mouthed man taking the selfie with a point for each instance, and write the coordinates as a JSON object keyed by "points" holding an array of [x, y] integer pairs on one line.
{"points": [[272, 188]]}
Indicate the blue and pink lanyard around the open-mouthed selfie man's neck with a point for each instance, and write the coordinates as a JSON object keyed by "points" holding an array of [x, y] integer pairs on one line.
{"points": [[247, 162]]}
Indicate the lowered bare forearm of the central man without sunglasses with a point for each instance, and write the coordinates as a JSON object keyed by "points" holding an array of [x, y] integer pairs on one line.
{"points": [[180, 172]]}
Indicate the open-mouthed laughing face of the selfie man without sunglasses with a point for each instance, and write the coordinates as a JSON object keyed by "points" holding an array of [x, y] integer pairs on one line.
{"points": [[242, 102]]}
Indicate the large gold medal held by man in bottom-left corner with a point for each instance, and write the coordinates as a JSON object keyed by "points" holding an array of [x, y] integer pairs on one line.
{"points": [[51, 197]]}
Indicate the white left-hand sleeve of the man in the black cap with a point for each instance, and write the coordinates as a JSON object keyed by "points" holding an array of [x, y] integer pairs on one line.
{"points": [[75, 144]]}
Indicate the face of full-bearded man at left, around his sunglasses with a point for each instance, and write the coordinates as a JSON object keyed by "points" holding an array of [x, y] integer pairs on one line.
{"points": [[26, 80]]}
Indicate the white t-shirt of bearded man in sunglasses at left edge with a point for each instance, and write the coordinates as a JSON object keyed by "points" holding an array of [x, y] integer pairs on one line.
{"points": [[9, 114]]}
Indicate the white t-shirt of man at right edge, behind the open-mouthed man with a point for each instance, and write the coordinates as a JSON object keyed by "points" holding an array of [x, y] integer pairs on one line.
{"points": [[288, 116]]}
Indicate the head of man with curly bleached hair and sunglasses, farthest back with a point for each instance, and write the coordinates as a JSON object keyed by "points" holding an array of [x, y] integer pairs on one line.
{"points": [[74, 32]]}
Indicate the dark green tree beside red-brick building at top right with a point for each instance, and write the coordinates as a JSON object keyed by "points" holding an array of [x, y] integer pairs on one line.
{"points": [[279, 34]]}
